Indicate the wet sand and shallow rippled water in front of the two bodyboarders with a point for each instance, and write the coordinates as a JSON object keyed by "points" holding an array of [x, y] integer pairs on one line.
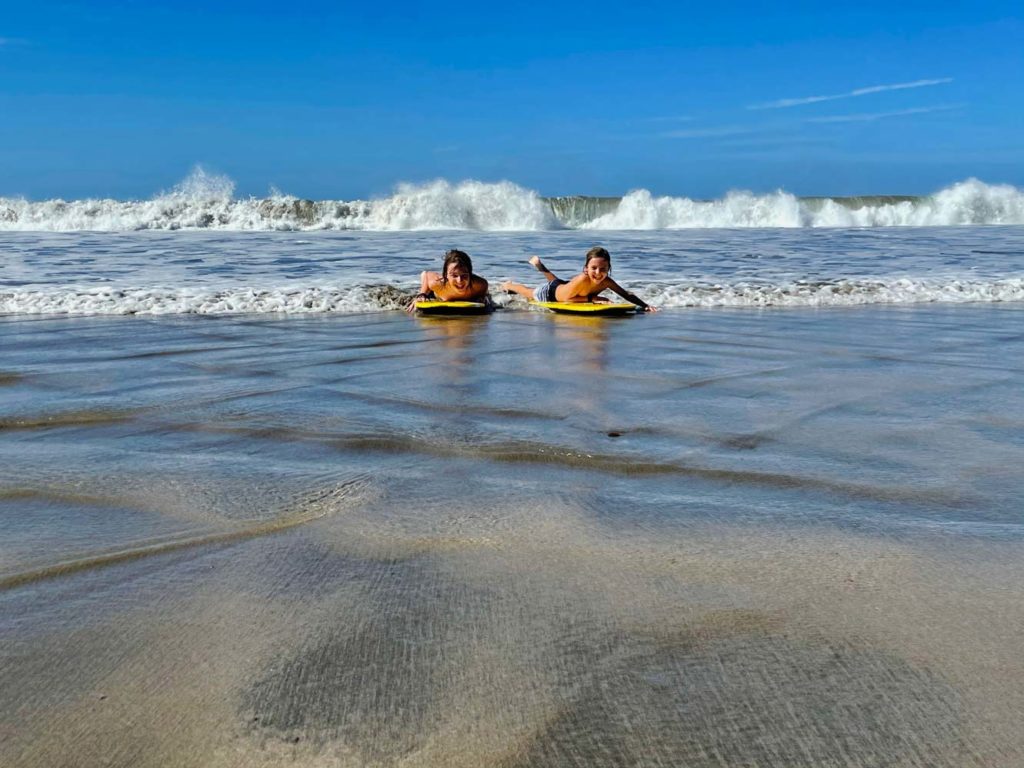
{"points": [[697, 538]]}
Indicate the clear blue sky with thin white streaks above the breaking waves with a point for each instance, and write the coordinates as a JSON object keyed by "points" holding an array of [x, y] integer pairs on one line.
{"points": [[345, 101]]}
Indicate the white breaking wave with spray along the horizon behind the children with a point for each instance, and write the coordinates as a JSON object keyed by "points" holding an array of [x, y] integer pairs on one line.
{"points": [[205, 201]]}
